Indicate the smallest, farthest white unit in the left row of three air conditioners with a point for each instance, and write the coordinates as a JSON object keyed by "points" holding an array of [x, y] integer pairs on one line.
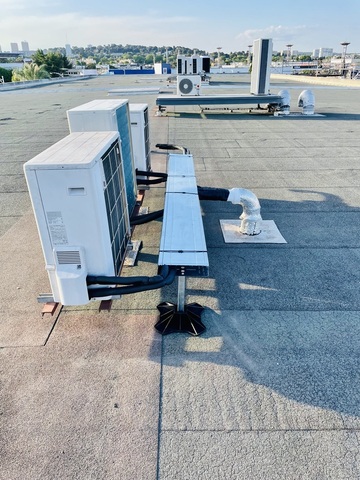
{"points": [[139, 118]]}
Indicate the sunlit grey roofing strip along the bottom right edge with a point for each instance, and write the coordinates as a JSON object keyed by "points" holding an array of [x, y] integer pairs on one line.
{"points": [[261, 455]]}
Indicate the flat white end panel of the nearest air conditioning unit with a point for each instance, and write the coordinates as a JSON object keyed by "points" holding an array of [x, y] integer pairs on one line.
{"points": [[75, 214]]}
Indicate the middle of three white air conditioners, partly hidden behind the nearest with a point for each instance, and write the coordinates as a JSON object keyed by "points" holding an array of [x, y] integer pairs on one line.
{"points": [[109, 115]]}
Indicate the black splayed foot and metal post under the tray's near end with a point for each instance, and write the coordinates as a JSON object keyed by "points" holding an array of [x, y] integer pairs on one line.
{"points": [[180, 318]]}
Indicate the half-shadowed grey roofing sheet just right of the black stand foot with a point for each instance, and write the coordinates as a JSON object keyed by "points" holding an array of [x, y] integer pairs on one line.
{"points": [[303, 364]]}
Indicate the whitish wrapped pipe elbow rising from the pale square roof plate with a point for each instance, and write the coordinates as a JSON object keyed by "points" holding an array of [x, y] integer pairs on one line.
{"points": [[250, 217]]}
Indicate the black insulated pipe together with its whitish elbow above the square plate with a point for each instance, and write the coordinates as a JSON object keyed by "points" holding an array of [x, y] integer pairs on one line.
{"points": [[250, 217]]}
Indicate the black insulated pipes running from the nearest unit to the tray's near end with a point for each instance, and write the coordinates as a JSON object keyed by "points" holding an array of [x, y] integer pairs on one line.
{"points": [[164, 279]]}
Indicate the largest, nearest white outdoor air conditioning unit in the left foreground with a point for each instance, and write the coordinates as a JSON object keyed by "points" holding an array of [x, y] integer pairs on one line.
{"points": [[78, 195]]}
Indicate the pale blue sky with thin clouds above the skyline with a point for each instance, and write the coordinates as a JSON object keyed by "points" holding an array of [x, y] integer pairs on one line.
{"points": [[230, 24]]}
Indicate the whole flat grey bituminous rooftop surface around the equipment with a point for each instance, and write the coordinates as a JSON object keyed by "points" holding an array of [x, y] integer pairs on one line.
{"points": [[271, 390]]}
